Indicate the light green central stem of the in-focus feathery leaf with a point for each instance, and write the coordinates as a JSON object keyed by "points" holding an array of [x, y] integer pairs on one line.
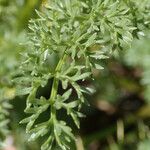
{"points": [[55, 86]]}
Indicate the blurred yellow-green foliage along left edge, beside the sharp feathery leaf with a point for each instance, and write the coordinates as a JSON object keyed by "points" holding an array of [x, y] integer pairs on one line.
{"points": [[10, 48]]}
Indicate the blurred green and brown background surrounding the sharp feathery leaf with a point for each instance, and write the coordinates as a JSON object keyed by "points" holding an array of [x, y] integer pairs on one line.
{"points": [[119, 115]]}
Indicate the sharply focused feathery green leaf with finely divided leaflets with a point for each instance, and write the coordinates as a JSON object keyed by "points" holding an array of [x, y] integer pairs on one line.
{"points": [[78, 34]]}
